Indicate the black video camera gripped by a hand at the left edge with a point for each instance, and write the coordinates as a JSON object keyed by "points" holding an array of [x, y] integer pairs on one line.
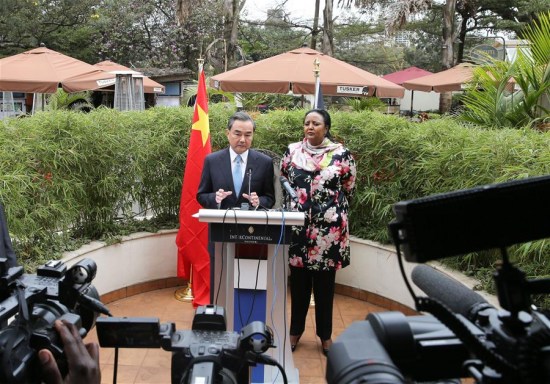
{"points": [[36, 302]]}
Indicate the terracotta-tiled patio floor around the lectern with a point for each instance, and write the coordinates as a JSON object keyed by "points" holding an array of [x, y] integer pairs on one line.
{"points": [[147, 366]]}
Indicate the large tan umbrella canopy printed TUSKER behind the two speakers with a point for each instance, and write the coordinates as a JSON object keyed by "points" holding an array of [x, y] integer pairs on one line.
{"points": [[293, 71]]}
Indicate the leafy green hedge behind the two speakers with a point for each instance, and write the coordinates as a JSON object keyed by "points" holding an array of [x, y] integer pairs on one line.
{"points": [[69, 175]]}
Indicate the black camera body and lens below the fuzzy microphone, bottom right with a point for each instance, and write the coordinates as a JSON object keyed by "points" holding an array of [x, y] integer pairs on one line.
{"points": [[392, 348]]}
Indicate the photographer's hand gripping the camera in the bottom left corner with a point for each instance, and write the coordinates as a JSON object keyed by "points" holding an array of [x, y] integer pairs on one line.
{"points": [[82, 359]]}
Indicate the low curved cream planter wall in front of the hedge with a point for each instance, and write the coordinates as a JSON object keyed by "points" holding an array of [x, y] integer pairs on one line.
{"points": [[147, 261]]}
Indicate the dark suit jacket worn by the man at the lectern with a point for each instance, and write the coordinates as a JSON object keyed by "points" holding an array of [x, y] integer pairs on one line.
{"points": [[216, 174]]}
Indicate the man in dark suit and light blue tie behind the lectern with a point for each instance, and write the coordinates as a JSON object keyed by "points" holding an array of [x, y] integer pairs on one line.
{"points": [[237, 167]]}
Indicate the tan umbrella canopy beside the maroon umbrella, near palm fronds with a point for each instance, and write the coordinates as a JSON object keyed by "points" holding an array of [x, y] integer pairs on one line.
{"points": [[445, 81]]}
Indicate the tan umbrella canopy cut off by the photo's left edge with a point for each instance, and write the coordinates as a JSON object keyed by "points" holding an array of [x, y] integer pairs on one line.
{"points": [[42, 70]]}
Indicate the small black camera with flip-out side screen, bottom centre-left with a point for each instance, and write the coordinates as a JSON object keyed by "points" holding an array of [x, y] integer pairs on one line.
{"points": [[206, 354]]}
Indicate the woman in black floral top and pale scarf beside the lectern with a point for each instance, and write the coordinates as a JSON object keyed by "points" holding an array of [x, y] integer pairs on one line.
{"points": [[322, 172]]}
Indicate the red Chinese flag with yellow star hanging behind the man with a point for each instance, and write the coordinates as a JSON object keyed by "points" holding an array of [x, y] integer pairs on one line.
{"points": [[192, 237]]}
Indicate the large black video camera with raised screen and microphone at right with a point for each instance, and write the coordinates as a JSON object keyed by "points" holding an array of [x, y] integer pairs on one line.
{"points": [[464, 336]]}
